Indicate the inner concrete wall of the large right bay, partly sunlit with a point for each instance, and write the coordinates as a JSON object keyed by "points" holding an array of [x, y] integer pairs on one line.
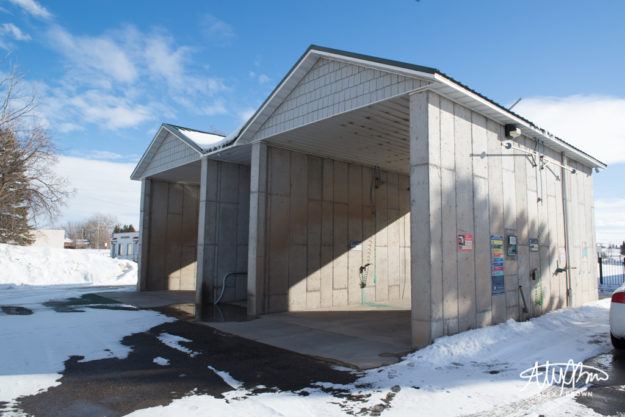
{"points": [[331, 232]]}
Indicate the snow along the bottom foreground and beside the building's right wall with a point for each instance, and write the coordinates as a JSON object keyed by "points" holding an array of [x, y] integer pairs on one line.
{"points": [[477, 371]]}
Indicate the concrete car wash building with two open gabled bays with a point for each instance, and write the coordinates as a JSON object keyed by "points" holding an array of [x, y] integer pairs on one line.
{"points": [[362, 180]]}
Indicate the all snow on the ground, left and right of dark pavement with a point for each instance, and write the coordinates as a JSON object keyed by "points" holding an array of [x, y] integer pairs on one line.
{"points": [[477, 371]]}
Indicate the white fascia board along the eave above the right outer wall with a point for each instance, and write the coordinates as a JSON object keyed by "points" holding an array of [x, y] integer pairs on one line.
{"points": [[548, 137]]}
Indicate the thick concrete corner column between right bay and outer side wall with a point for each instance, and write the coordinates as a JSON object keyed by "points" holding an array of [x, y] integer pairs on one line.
{"points": [[425, 220]]}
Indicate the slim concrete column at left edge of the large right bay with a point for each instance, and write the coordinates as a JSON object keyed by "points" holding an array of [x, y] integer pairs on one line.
{"points": [[258, 218]]}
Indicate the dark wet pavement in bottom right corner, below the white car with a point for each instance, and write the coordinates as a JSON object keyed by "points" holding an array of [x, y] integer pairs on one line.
{"points": [[607, 397]]}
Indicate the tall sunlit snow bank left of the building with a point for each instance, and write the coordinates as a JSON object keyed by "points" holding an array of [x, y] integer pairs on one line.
{"points": [[27, 265]]}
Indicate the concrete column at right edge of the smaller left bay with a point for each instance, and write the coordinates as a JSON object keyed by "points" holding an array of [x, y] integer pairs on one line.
{"points": [[202, 239]]}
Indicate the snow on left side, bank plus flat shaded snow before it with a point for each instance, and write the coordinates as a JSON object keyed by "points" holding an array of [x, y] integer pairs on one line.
{"points": [[38, 344]]}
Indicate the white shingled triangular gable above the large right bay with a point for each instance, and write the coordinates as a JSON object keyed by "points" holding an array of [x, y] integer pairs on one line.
{"points": [[333, 87]]}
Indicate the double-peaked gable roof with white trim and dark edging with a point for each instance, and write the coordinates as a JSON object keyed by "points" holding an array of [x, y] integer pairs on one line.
{"points": [[206, 143]]}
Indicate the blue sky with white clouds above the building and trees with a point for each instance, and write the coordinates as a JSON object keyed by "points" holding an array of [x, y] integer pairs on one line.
{"points": [[109, 72]]}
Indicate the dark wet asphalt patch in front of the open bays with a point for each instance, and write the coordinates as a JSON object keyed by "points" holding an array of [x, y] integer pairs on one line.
{"points": [[115, 387]]}
